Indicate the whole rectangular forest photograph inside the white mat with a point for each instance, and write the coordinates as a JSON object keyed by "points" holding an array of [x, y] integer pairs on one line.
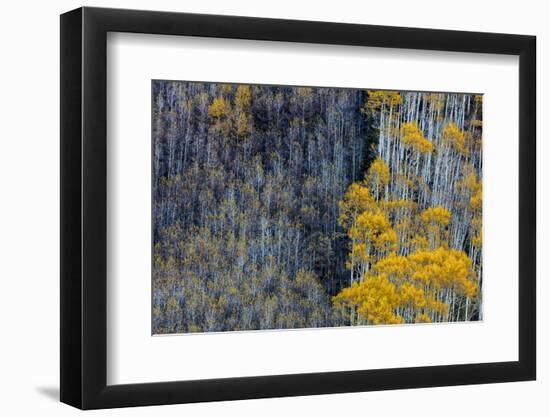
{"points": [[278, 207]]}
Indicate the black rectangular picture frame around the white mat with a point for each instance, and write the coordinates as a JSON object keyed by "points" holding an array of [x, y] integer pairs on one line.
{"points": [[84, 207]]}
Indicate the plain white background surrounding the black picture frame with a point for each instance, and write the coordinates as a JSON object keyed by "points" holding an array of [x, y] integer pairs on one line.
{"points": [[29, 210]]}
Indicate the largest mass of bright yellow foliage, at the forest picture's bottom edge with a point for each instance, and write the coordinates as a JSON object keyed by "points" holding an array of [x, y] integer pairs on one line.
{"points": [[399, 285]]}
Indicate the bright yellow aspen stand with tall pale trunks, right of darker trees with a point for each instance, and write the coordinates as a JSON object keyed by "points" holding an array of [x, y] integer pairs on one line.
{"points": [[426, 187]]}
